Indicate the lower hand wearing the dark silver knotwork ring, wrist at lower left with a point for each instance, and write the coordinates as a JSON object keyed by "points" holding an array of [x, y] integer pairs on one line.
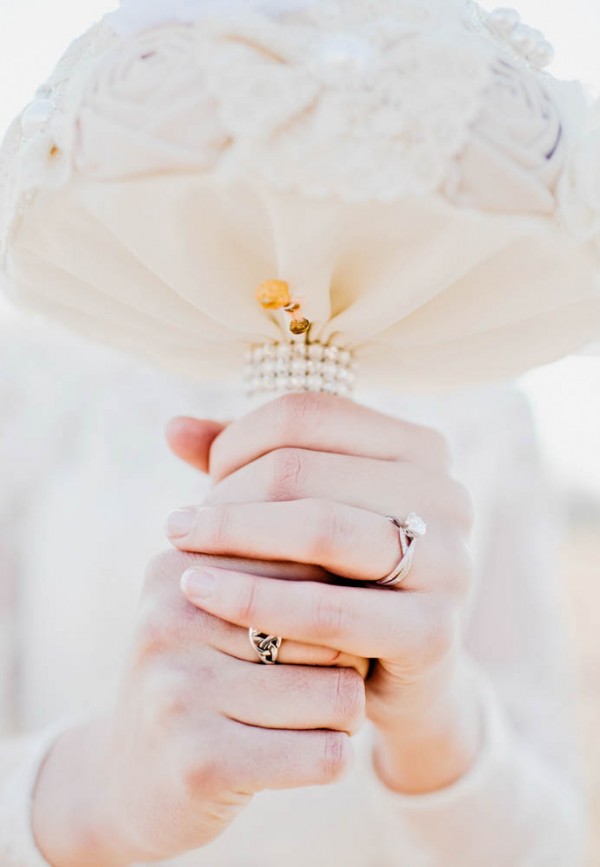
{"points": [[200, 726]]}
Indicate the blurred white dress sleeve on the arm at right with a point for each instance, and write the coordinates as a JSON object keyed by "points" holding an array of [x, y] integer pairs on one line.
{"points": [[521, 804]]}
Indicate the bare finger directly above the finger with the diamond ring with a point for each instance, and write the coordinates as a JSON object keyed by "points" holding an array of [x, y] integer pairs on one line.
{"points": [[387, 487]]}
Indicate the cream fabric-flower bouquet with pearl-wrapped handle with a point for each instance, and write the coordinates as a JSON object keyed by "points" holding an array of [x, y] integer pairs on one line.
{"points": [[428, 191]]}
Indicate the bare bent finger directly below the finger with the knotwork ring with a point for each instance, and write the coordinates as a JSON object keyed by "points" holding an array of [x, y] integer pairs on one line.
{"points": [[292, 697]]}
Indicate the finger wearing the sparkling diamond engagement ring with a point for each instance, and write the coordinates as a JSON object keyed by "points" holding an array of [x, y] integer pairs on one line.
{"points": [[352, 543]]}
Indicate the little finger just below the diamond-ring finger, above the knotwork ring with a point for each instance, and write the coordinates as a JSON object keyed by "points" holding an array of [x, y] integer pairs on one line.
{"points": [[368, 622]]}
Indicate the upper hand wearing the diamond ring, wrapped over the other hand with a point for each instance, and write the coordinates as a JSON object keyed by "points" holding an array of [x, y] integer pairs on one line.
{"points": [[311, 478]]}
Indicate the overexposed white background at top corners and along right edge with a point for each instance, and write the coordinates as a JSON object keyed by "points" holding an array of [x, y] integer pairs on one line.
{"points": [[565, 397]]}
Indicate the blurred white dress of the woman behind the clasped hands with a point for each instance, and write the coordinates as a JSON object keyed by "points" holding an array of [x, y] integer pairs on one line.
{"points": [[86, 484]]}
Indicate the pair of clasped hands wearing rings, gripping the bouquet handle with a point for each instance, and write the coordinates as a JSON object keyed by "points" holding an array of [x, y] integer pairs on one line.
{"points": [[291, 540]]}
